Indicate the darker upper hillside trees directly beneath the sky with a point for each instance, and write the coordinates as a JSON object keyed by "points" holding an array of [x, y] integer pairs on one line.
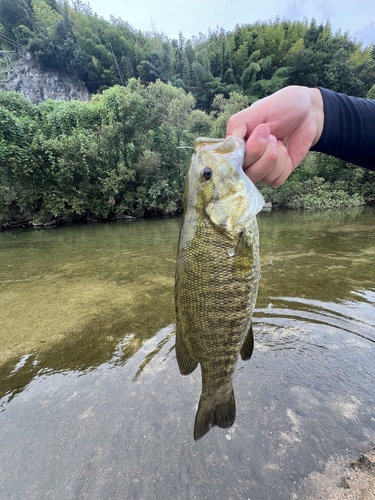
{"points": [[255, 59]]}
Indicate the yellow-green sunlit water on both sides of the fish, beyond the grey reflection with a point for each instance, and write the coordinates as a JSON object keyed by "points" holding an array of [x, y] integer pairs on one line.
{"points": [[71, 297]]}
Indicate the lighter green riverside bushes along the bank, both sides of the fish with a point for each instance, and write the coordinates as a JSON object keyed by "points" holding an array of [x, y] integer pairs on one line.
{"points": [[129, 148]]}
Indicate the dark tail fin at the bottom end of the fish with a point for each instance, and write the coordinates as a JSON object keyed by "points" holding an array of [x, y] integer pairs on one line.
{"points": [[209, 414]]}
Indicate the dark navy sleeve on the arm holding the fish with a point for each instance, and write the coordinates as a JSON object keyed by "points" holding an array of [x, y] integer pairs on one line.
{"points": [[349, 129]]}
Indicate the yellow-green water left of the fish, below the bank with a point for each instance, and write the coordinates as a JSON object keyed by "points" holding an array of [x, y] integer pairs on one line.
{"points": [[69, 296]]}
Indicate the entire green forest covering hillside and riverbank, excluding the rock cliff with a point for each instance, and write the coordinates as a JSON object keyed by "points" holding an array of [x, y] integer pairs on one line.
{"points": [[129, 147]]}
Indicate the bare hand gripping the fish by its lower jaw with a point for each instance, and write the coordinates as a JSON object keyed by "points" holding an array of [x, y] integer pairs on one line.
{"points": [[279, 130]]}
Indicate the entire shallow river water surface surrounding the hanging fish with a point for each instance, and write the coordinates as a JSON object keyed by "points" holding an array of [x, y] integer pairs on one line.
{"points": [[92, 404]]}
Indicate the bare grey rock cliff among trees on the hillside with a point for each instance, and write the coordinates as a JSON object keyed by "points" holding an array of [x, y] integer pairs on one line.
{"points": [[37, 86]]}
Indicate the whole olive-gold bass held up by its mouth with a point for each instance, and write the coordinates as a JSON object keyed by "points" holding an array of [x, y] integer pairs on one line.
{"points": [[217, 275]]}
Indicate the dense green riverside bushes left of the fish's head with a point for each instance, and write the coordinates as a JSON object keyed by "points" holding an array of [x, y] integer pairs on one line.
{"points": [[120, 151]]}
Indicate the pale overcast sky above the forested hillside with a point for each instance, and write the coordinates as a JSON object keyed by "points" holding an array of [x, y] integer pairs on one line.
{"points": [[194, 16]]}
